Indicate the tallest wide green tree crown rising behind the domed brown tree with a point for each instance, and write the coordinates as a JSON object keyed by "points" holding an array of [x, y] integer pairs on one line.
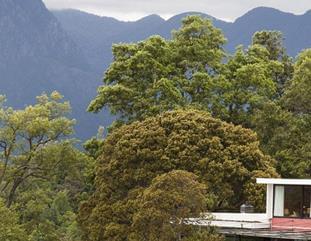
{"points": [[192, 69]]}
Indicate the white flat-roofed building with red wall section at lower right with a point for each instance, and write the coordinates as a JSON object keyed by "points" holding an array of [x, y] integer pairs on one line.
{"points": [[287, 216]]}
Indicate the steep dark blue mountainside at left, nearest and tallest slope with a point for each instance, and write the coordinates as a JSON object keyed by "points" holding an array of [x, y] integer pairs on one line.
{"points": [[37, 55]]}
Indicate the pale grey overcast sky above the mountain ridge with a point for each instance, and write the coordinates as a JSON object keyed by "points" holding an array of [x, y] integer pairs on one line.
{"points": [[133, 9]]}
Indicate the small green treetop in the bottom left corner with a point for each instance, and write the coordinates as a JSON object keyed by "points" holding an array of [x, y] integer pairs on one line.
{"points": [[10, 229]]}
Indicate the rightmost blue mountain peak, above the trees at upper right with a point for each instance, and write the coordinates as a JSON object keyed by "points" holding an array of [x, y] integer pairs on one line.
{"points": [[295, 28]]}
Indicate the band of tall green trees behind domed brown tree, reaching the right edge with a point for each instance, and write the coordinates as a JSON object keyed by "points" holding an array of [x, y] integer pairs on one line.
{"points": [[259, 87]]}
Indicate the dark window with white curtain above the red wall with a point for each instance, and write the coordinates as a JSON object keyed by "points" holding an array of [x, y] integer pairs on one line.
{"points": [[292, 201]]}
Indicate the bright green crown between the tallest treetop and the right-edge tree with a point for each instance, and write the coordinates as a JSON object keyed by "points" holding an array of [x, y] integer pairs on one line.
{"points": [[248, 84]]}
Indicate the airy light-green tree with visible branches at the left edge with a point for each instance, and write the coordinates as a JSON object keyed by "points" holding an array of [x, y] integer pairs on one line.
{"points": [[42, 173]]}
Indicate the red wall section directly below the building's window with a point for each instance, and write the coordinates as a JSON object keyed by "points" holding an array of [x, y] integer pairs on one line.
{"points": [[291, 224]]}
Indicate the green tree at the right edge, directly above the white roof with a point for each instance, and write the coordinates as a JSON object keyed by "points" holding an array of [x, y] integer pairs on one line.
{"points": [[284, 125]]}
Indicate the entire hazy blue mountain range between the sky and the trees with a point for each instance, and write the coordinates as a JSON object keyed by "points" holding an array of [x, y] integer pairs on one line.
{"points": [[69, 50]]}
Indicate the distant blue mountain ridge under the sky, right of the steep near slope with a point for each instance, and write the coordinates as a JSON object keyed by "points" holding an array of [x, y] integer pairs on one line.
{"points": [[99, 33]]}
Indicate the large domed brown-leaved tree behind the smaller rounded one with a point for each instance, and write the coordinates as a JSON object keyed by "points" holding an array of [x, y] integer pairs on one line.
{"points": [[226, 158]]}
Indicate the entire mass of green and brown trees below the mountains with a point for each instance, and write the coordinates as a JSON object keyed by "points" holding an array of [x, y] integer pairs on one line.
{"points": [[195, 126]]}
